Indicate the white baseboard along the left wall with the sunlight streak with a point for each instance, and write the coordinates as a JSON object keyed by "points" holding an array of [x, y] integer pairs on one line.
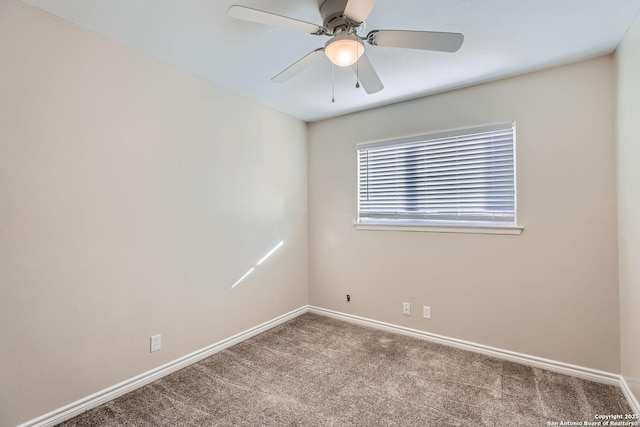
{"points": [[96, 399]]}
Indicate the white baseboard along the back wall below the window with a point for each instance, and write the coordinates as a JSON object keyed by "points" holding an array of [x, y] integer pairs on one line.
{"points": [[538, 362]]}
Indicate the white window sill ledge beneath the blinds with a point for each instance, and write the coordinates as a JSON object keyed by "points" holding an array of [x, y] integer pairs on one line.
{"points": [[444, 228]]}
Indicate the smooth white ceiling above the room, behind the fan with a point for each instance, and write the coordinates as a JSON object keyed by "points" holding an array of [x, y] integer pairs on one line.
{"points": [[502, 38]]}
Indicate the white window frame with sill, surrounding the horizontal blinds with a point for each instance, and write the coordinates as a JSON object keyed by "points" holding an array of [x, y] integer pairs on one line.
{"points": [[433, 225]]}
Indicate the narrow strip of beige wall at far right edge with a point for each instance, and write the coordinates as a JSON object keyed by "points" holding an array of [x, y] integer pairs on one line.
{"points": [[628, 61]]}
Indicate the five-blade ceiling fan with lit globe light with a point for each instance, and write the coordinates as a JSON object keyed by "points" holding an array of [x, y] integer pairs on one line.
{"points": [[342, 20]]}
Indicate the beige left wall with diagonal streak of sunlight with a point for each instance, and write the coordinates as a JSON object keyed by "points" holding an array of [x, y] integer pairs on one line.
{"points": [[133, 195]]}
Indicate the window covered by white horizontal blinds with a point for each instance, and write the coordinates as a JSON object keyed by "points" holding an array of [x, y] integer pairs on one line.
{"points": [[452, 179]]}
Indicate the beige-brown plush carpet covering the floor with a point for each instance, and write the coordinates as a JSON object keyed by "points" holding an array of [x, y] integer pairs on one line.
{"points": [[317, 371]]}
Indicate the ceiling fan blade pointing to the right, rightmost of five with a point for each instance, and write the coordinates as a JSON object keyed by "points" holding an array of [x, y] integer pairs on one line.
{"points": [[427, 40]]}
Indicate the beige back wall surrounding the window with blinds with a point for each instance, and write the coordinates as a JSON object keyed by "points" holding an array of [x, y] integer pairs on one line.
{"points": [[550, 292]]}
